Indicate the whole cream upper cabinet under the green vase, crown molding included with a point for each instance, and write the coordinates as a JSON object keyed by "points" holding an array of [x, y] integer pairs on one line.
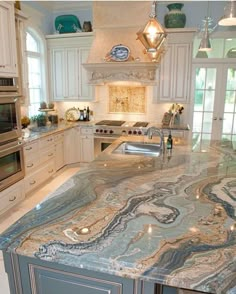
{"points": [[175, 68]]}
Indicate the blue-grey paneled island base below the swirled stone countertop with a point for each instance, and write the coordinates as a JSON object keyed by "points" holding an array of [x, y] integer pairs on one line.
{"points": [[33, 276]]}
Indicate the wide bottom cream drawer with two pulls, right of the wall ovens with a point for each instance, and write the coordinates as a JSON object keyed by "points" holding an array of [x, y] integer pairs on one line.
{"points": [[33, 181]]}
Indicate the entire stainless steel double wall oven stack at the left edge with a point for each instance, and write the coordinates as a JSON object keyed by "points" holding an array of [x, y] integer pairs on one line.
{"points": [[11, 153]]}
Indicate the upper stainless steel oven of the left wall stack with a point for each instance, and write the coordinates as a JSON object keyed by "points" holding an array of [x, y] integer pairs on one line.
{"points": [[10, 123]]}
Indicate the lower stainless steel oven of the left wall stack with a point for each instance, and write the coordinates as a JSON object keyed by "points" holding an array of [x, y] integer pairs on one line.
{"points": [[11, 164]]}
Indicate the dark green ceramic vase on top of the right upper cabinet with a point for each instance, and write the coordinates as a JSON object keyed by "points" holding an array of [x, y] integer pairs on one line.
{"points": [[175, 18]]}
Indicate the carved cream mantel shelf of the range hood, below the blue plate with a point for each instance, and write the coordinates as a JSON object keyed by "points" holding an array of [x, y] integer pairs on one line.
{"points": [[99, 73]]}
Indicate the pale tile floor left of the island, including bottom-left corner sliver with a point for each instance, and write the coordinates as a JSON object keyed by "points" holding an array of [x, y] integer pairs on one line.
{"points": [[19, 210]]}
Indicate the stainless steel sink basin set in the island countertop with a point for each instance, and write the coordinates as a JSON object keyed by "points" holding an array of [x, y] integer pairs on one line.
{"points": [[139, 148]]}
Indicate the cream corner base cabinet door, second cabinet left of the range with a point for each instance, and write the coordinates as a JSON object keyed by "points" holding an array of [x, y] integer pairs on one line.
{"points": [[72, 145]]}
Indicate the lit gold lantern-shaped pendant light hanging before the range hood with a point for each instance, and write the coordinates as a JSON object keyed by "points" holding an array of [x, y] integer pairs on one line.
{"points": [[153, 35]]}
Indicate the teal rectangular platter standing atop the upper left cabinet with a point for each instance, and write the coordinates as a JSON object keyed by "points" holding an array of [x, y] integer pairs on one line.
{"points": [[67, 24]]}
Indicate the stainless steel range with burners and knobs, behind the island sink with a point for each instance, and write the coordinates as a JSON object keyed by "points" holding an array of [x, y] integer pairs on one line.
{"points": [[107, 131]]}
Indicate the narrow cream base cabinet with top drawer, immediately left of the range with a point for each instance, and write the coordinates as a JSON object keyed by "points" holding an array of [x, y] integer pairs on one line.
{"points": [[86, 144]]}
